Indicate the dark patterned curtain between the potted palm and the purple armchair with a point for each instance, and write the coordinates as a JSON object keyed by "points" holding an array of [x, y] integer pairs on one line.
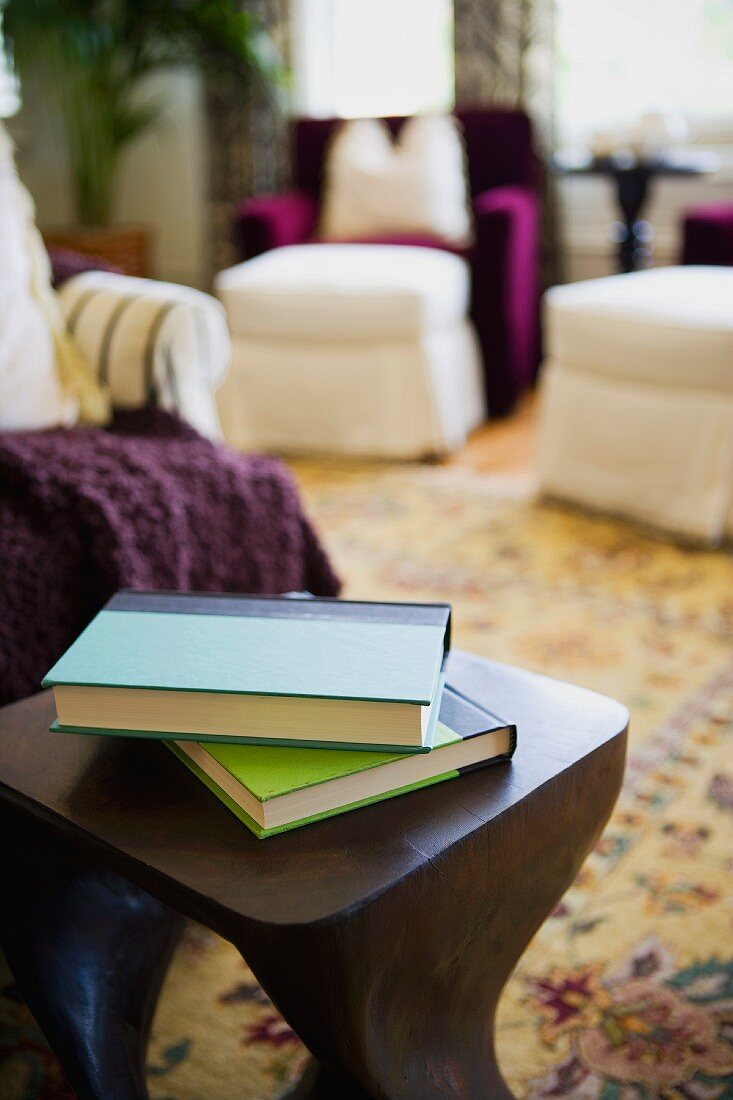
{"points": [[247, 138]]}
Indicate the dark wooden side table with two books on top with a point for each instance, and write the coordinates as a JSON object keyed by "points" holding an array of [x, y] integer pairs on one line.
{"points": [[385, 937]]}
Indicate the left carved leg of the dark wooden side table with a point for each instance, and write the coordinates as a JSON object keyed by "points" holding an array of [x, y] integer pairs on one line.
{"points": [[89, 952]]}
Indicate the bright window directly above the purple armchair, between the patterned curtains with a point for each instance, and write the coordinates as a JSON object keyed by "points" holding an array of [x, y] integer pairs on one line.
{"points": [[359, 59]]}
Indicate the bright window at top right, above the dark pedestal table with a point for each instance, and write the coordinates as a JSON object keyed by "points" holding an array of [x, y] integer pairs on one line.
{"points": [[621, 59]]}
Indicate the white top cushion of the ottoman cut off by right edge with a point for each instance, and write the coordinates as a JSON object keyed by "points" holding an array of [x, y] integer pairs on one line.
{"points": [[672, 326]]}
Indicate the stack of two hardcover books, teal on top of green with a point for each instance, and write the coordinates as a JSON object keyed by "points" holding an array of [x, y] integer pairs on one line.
{"points": [[289, 710]]}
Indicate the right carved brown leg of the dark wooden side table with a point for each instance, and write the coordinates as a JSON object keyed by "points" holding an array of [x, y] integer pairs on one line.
{"points": [[399, 998]]}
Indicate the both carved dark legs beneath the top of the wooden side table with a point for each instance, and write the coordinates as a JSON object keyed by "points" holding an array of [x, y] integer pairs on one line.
{"points": [[396, 999]]}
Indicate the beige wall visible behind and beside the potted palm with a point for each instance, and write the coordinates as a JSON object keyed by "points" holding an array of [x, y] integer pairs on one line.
{"points": [[163, 181]]}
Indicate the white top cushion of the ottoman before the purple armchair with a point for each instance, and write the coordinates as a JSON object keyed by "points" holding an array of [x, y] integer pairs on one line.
{"points": [[345, 293]]}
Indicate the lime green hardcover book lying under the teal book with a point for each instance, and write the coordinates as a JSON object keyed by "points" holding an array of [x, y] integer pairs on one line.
{"points": [[272, 790]]}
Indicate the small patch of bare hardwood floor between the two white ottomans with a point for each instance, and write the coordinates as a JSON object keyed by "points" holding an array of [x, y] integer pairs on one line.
{"points": [[504, 447]]}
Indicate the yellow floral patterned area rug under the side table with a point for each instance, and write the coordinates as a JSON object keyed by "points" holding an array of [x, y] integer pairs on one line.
{"points": [[627, 994]]}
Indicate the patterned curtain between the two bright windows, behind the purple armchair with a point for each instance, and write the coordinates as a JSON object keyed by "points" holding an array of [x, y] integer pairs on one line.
{"points": [[506, 56]]}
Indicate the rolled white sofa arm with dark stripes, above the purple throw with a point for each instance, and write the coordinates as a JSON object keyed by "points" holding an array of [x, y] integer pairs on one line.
{"points": [[151, 343]]}
